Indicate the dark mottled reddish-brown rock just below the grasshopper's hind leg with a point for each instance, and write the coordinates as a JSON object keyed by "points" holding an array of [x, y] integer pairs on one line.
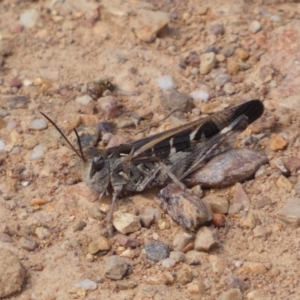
{"points": [[184, 207]]}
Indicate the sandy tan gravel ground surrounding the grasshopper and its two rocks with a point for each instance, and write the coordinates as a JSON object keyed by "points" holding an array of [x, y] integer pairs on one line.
{"points": [[115, 67]]}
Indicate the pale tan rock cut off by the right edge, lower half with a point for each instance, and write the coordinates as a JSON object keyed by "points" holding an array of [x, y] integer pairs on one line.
{"points": [[290, 212]]}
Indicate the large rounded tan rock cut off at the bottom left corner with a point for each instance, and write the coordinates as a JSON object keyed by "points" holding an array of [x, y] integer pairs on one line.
{"points": [[12, 273]]}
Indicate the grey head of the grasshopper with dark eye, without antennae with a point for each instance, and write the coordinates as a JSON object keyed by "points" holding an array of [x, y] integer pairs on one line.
{"points": [[96, 169]]}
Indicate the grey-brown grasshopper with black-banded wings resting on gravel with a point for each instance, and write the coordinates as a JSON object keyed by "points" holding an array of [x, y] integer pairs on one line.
{"points": [[164, 157]]}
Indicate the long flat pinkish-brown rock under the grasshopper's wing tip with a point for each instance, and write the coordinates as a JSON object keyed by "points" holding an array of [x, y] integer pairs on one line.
{"points": [[235, 165]]}
